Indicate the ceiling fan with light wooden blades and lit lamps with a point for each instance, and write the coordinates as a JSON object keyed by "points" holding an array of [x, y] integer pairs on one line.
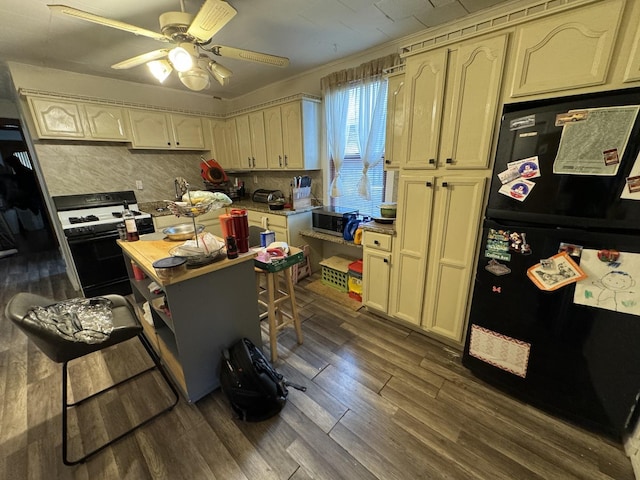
{"points": [[192, 38]]}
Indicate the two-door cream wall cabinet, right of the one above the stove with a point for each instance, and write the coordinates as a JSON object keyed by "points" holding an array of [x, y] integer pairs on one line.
{"points": [[154, 129]]}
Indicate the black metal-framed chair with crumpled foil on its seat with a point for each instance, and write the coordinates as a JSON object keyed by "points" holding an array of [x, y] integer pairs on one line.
{"points": [[61, 336]]}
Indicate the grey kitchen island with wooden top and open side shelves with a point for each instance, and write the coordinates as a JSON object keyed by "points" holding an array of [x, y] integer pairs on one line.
{"points": [[209, 308]]}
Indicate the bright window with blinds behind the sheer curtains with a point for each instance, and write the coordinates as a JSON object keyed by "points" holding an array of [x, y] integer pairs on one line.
{"points": [[352, 167]]}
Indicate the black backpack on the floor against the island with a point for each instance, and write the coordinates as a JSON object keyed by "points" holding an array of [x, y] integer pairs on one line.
{"points": [[254, 388]]}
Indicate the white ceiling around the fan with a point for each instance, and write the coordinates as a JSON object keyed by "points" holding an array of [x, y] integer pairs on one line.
{"points": [[309, 32]]}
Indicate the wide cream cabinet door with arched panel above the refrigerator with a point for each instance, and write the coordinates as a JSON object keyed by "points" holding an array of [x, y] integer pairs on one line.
{"points": [[567, 50]]}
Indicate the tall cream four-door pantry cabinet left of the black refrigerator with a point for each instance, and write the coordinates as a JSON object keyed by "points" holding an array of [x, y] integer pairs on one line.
{"points": [[452, 104]]}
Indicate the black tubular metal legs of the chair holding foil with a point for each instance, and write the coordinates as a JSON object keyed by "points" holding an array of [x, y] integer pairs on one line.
{"points": [[66, 405]]}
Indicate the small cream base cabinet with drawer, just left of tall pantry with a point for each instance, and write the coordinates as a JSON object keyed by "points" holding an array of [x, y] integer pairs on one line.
{"points": [[376, 270]]}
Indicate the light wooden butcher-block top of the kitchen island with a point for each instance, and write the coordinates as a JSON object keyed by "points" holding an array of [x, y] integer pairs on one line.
{"points": [[152, 247]]}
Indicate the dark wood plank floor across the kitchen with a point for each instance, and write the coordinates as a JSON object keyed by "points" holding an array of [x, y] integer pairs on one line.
{"points": [[382, 402]]}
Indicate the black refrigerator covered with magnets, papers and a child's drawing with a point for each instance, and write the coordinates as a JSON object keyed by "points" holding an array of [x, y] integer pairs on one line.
{"points": [[555, 313]]}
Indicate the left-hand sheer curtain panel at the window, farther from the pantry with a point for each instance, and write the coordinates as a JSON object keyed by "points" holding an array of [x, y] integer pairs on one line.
{"points": [[336, 105]]}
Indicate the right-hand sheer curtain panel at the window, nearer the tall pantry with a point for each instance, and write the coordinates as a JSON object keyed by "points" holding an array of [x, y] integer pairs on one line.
{"points": [[371, 128]]}
